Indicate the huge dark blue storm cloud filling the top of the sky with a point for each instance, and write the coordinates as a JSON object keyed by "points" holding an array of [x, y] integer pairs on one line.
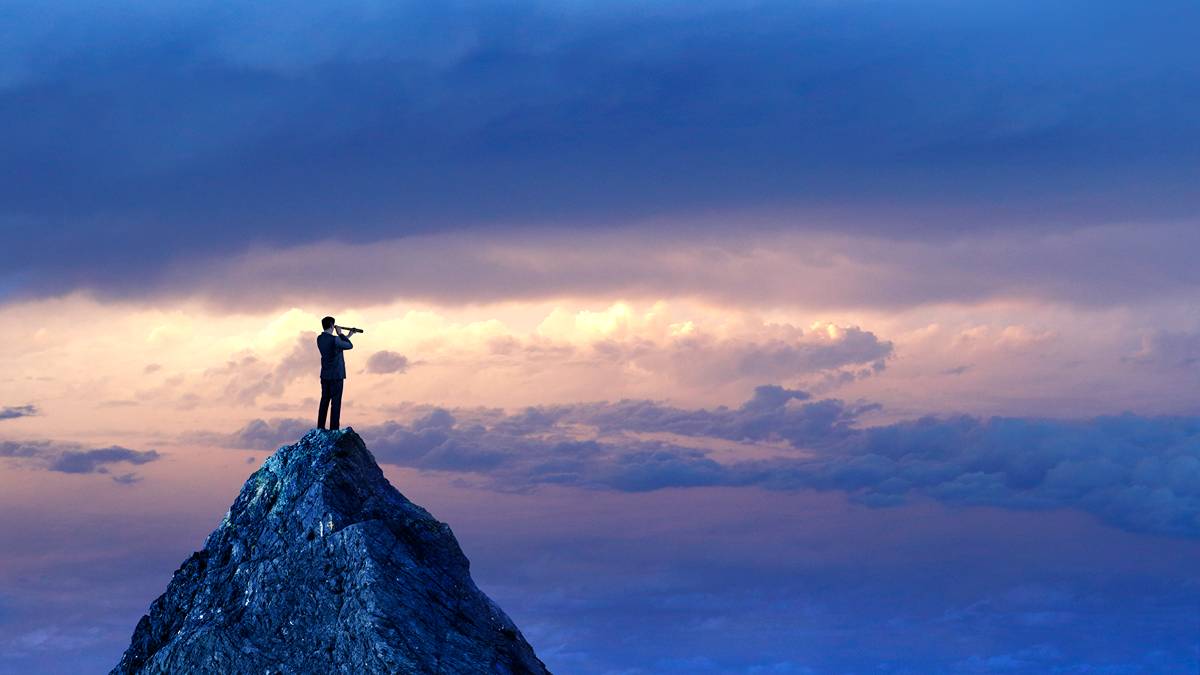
{"points": [[141, 136]]}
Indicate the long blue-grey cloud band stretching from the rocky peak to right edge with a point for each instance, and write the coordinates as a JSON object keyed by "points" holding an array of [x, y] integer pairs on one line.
{"points": [[1133, 473]]}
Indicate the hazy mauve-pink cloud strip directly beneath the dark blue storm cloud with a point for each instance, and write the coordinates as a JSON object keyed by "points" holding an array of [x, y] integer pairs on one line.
{"points": [[757, 267]]}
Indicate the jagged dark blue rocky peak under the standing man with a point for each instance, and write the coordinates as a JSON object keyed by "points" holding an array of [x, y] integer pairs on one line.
{"points": [[321, 566]]}
